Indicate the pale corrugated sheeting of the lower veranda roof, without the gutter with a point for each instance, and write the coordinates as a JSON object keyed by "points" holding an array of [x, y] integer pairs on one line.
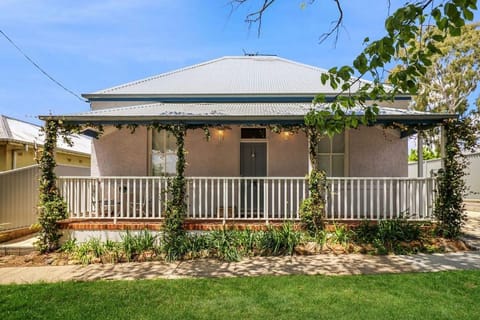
{"points": [[222, 110]]}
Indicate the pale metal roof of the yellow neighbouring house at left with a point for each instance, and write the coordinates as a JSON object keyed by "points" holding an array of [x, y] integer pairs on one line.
{"points": [[16, 130]]}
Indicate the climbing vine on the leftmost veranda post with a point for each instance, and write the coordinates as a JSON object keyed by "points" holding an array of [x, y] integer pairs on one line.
{"points": [[52, 207]]}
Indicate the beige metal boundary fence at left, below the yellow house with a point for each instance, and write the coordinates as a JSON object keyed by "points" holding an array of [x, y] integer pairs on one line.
{"points": [[19, 194]]}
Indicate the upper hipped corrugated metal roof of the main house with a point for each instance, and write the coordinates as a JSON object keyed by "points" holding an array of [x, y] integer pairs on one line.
{"points": [[231, 75]]}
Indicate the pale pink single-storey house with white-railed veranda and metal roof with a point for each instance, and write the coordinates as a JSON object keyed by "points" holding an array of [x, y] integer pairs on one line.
{"points": [[246, 171]]}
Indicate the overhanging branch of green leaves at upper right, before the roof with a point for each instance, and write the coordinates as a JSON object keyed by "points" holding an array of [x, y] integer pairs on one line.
{"points": [[409, 44]]}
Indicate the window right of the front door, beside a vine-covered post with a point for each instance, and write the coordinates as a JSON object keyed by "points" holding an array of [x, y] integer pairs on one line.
{"points": [[331, 155]]}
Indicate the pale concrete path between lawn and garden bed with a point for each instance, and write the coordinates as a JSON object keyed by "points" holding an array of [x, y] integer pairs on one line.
{"points": [[308, 265]]}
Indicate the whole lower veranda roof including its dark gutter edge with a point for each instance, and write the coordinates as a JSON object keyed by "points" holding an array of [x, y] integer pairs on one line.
{"points": [[233, 113]]}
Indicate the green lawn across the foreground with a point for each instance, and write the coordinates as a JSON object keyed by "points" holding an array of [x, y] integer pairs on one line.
{"points": [[444, 295]]}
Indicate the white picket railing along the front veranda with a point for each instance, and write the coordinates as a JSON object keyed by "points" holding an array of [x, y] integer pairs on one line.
{"points": [[247, 198]]}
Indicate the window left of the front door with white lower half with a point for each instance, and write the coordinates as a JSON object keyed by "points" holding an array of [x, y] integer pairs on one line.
{"points": [[164, 153]]}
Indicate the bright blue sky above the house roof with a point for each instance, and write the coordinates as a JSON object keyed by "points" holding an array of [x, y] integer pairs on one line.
{"points": [[92, 45]]}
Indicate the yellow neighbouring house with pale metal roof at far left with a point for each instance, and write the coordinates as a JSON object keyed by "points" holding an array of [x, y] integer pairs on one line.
{"points": [[20, 140]]}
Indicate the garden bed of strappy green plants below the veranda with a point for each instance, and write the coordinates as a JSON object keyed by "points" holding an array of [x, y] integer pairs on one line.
{"points": [[386, 237]]}
